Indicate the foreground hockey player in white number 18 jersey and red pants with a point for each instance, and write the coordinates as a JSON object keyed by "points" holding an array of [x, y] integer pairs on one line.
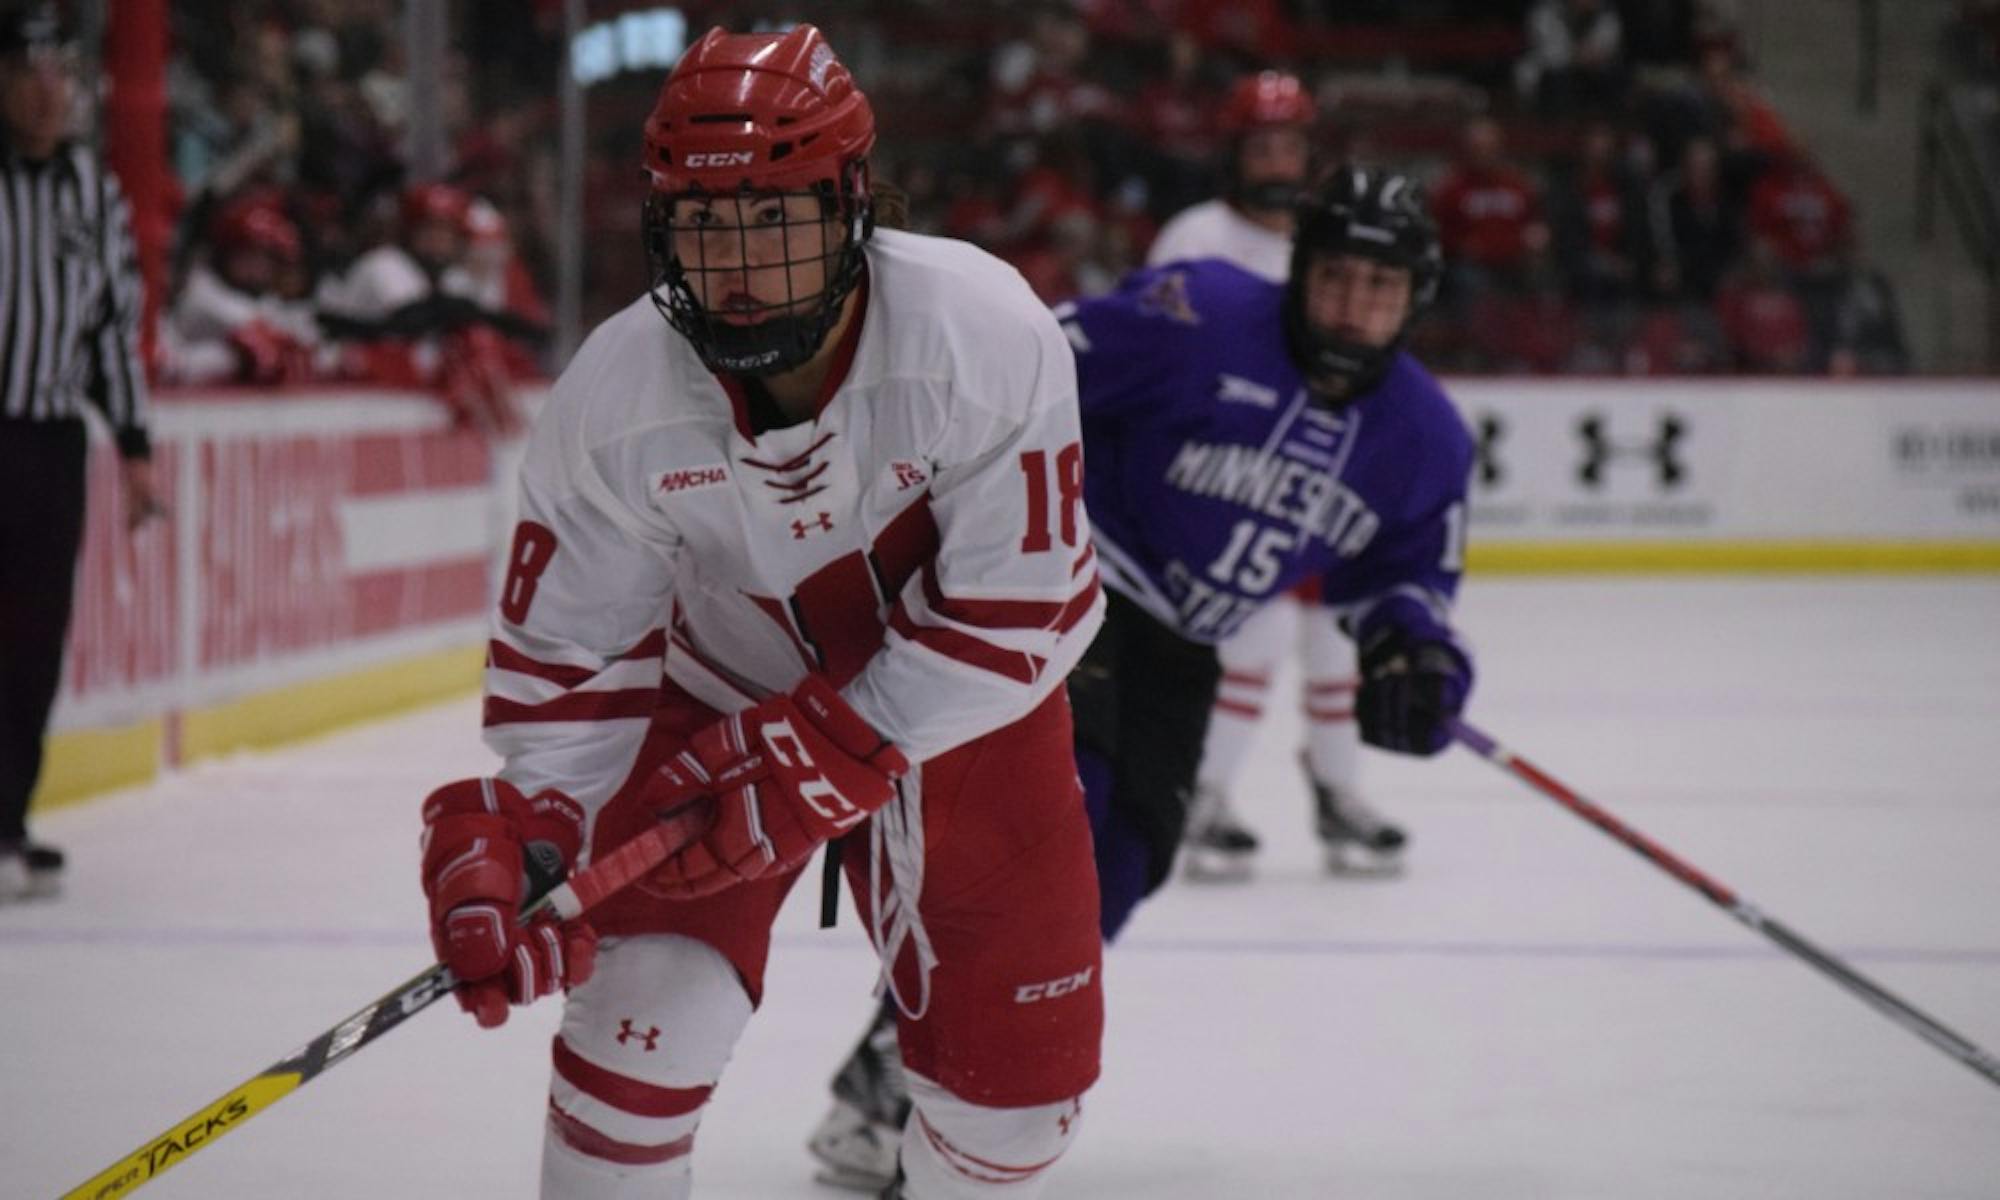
{"points": [[819, 535]]}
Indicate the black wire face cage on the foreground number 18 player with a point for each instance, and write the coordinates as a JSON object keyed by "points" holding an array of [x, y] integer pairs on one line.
{"points": [[767, 339]]}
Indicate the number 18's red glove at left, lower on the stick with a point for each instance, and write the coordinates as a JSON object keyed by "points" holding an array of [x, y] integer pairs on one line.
{"points": [[477, 839]]}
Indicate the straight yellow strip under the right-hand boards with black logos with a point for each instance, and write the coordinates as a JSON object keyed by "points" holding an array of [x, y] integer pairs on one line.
{"points": [[1733, 557]]}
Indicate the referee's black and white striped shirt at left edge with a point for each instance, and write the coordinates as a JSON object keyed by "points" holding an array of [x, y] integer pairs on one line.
{"points": [[71, 295]]}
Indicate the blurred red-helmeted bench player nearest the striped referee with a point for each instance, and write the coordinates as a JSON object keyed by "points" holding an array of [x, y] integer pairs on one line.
{"points": [[233, 319]]}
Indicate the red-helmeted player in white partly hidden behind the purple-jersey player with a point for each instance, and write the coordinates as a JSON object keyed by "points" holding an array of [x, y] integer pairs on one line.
{"points": [[1269, 121]]}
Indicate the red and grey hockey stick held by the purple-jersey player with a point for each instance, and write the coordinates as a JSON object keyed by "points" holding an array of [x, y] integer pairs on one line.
{"points": [[1871, 993]]}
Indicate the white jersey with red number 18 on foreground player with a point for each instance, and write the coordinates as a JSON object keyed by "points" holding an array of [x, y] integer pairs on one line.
{"points": [[923, 541]]}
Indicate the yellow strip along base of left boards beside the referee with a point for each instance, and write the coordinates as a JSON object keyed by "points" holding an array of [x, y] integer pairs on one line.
{"points": [[85, 763]]}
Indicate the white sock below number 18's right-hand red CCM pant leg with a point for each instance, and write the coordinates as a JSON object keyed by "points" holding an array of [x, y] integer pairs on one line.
{"points": [[961, 1151]]}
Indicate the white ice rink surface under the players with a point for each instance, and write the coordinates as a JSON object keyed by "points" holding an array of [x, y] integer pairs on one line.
{"points": [[1531, 1013]]}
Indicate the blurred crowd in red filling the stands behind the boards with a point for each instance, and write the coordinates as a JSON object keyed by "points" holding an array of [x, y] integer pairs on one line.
{"points": [[1615, 191]]}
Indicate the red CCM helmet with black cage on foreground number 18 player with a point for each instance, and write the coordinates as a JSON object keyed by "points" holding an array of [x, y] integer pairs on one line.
{"points": [[761, 117]]}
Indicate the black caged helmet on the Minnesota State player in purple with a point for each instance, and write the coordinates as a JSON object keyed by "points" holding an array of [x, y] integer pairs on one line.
{"points": [[1369, 213]]}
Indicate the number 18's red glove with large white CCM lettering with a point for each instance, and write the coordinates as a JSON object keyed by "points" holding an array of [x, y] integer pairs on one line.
{"points": [[785, 775]]}
